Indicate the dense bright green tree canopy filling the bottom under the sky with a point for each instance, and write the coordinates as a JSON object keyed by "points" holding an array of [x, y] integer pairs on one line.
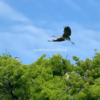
{"points": [[45, 79]]}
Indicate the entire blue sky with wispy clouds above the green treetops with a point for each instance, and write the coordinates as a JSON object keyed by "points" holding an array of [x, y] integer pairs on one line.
{"points": [[26, 25]]}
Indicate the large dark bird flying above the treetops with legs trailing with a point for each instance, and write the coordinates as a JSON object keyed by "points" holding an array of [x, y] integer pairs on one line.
{"points": [[65, 36]]}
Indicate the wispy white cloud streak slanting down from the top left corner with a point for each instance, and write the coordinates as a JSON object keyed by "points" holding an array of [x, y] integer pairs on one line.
{"points": [[9, 13]]}
